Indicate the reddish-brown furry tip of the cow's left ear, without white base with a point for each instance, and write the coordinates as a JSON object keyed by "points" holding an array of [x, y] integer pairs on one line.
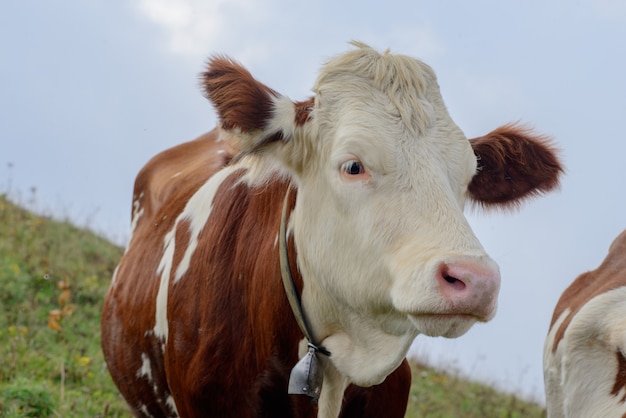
{"points": [[240, 100]]}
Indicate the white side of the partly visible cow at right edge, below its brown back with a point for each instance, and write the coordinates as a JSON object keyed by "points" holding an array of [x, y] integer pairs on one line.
{"points": [[581, 374]]}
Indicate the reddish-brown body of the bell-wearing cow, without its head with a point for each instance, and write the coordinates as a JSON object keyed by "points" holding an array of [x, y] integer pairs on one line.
{"points": [[231, 337]]}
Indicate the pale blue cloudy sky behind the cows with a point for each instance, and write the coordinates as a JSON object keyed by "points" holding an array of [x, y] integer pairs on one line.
{"points": [[90, 90]]}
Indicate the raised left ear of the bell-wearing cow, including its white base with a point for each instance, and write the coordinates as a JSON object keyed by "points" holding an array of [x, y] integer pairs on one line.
{"points": [[256, 115]]}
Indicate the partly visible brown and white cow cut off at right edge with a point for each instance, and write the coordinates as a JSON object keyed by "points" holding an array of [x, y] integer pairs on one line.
{"points": [[585, 351]]}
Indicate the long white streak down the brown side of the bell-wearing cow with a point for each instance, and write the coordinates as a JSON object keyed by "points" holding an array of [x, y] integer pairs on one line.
{"points": [[196, 212]]}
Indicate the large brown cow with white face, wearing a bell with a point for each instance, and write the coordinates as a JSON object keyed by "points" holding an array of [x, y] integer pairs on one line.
{"points": [[197, 323]]}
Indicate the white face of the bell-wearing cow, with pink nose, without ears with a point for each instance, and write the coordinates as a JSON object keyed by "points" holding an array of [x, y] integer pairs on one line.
{"points": [[380, 212]]}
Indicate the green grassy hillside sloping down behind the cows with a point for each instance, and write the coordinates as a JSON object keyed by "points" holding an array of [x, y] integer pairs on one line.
{"points": [[53, 277]]}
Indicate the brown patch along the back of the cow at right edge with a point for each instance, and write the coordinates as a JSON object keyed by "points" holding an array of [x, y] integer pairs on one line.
{"points": [[611, 274]]}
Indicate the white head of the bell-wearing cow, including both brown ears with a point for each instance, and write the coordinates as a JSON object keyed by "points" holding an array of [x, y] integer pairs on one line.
{"points": [[383, 175]]}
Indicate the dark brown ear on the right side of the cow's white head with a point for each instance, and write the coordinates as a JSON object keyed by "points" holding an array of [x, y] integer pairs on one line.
{"points": [[513, 164]]}
